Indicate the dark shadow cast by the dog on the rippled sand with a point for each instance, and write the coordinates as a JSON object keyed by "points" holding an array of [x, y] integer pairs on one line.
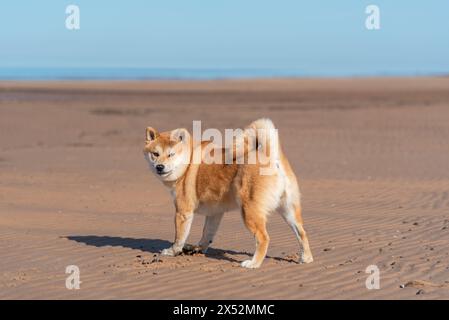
{"points": [[155, 246]]}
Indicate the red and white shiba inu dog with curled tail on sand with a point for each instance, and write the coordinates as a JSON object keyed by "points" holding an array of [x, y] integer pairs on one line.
{"points": [[201, 187]]}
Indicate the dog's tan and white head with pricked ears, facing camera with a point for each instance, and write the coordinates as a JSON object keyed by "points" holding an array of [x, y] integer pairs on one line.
{"points": [[168, 153]]}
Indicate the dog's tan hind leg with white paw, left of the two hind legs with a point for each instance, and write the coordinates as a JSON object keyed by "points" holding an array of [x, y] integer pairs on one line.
{"points": [[255, 221]]}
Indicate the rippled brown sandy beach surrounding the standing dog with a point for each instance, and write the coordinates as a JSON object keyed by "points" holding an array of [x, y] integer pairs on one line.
{"points": [[372, 156]]}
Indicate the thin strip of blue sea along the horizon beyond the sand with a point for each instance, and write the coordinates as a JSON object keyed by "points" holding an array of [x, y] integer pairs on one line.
{"points": [[184, 74]]}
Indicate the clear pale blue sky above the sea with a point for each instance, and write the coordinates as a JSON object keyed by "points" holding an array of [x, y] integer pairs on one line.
{"points": [[317, 37]]}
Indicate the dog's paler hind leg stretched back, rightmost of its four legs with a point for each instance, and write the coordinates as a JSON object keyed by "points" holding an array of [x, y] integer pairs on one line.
{"points": [[292, 215]]}
